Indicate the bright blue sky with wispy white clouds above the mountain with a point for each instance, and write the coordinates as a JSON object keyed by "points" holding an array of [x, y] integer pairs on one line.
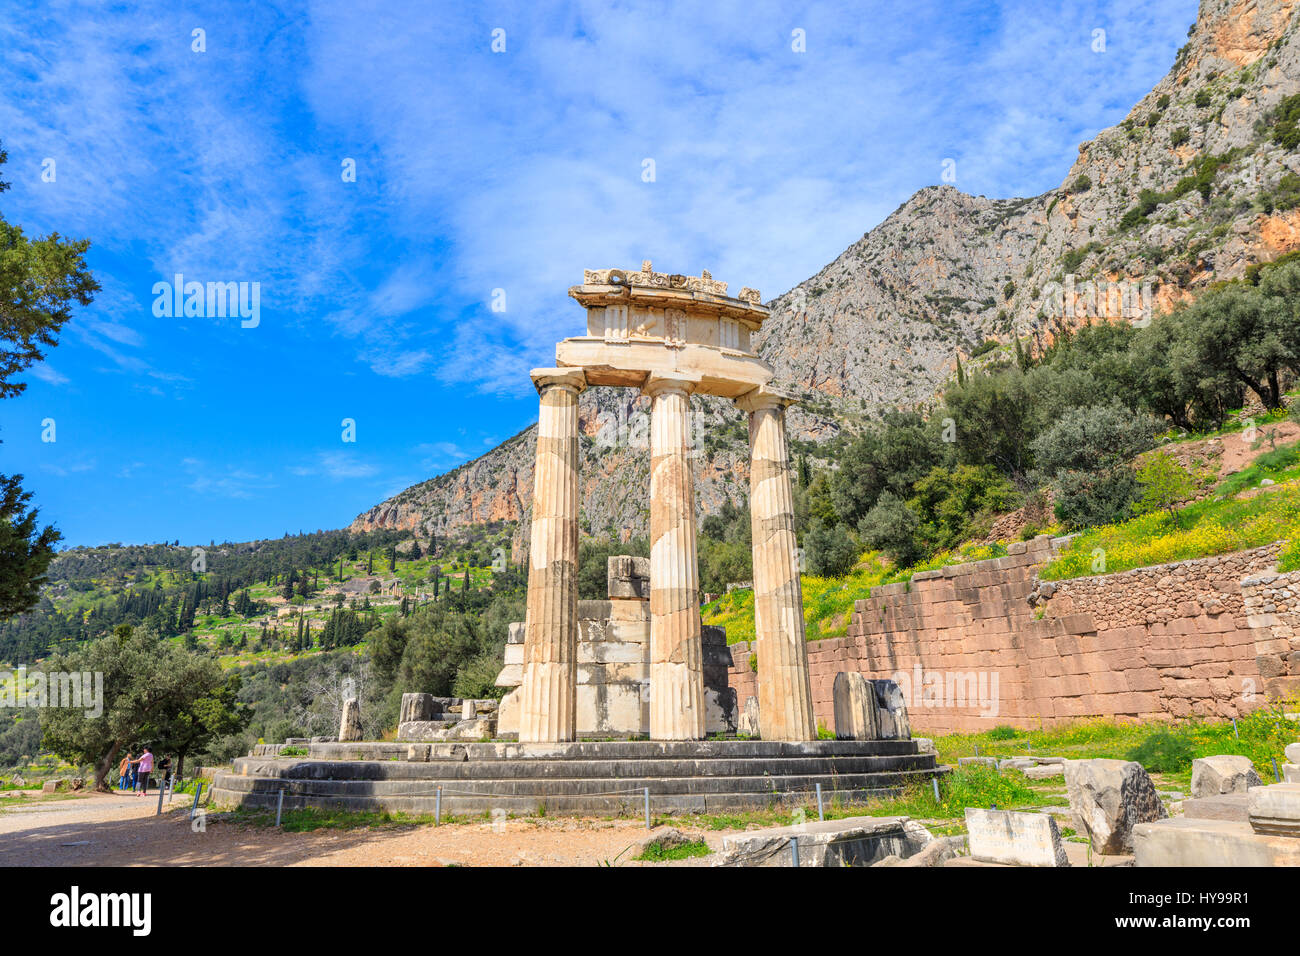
{"points": [[475, 171]]}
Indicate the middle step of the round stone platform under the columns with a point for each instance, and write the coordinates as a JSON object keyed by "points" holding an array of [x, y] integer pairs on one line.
{"points": [[577, 769]]}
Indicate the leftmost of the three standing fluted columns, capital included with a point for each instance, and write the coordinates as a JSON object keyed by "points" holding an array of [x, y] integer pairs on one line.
{"points": [[548, 699]]}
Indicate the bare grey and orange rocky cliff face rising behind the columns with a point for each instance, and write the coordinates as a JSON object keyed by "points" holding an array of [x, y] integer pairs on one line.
{"points": [[883, 325]]}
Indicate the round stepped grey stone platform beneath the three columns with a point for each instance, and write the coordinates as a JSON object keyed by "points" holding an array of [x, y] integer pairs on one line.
{"points": [[577, 778]]}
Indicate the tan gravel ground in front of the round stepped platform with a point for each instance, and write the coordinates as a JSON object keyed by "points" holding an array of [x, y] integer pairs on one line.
{"points": [[103, 830]]}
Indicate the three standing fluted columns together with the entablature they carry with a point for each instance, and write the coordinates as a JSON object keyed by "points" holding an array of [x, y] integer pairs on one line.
{"points": [[673, 338]]}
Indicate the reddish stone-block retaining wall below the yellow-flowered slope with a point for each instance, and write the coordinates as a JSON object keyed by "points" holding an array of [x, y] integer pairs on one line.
{"points": [[983, 644]]}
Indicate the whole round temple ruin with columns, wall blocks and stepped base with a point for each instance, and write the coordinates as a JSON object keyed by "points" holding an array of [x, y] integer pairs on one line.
{"points": [[639, 664]]}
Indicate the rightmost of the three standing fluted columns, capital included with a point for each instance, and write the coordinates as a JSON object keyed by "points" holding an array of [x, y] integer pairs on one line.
{"points": [[785, 691]]}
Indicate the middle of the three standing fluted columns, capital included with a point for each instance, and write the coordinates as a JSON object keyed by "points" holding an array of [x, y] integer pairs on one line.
{"points": [[677, 655]]}
